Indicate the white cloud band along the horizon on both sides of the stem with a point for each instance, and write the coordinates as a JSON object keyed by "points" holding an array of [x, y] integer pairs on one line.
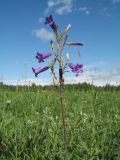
{"points": [[92, 77]]}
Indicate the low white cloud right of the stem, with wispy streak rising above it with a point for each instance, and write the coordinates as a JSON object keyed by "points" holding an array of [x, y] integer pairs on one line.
{"points": [[93, 76]]}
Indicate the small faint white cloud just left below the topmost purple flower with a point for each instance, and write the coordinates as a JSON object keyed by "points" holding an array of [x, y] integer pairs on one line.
{"points": [[43, 34]]}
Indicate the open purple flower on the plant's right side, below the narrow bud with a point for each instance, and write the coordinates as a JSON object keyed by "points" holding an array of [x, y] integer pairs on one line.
{"points": [[76, 68]]}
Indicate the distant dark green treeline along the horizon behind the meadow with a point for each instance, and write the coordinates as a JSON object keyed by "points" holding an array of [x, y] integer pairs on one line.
{"points": [[79, 86]]}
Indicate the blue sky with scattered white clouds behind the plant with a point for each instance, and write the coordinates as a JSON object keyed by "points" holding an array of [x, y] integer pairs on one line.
{"points": [[95, 23]]}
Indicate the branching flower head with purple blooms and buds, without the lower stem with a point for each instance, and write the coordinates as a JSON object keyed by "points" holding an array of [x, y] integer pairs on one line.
{"points": [[61, 39]]}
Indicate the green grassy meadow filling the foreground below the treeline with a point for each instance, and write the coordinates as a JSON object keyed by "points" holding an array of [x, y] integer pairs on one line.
{"points": [[31, 127]]}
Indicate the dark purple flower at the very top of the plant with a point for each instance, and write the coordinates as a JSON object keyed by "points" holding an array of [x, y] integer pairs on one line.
{"points": [[50, 21]]}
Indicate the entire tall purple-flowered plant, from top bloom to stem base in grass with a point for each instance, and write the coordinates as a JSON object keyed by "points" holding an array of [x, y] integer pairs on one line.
{"points": [[57, 53]]}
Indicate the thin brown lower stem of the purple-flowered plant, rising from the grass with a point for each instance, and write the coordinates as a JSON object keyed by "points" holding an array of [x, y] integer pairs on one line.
{"points": [[62, 106]]}
